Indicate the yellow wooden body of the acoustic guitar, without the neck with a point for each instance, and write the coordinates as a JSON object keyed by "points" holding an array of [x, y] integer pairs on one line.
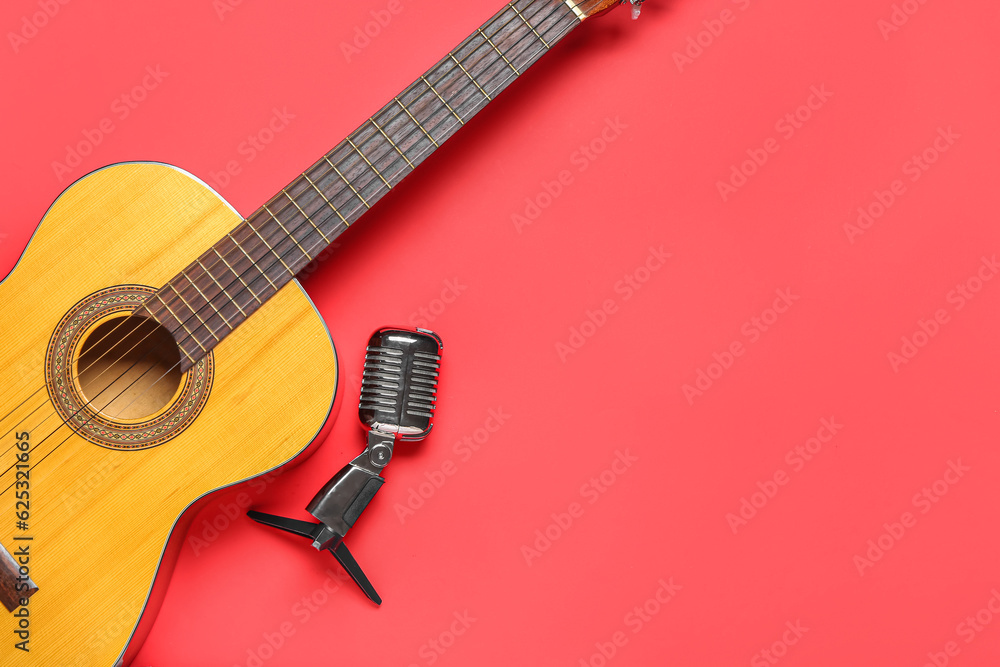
{"points": [[105, 519]]}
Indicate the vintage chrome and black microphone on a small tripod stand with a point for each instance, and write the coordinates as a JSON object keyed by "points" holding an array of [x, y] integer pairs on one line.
{"points": [[398, 397]]}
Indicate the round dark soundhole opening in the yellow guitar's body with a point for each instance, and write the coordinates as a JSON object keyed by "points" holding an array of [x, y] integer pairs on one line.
{"points": [[129, 368]]}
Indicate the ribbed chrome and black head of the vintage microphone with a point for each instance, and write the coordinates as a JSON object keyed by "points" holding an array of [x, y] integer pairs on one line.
{"points": [[399, 384]]}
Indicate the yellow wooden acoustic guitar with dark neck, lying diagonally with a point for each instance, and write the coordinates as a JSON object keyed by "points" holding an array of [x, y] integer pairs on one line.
{"points": [[161, 324]]}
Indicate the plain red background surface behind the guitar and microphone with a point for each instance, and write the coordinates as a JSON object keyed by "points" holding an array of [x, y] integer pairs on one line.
{"points": [[685, 124]]}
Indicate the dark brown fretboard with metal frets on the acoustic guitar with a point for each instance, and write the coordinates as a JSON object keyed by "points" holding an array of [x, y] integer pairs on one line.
{"points": [[223, 287]]}
